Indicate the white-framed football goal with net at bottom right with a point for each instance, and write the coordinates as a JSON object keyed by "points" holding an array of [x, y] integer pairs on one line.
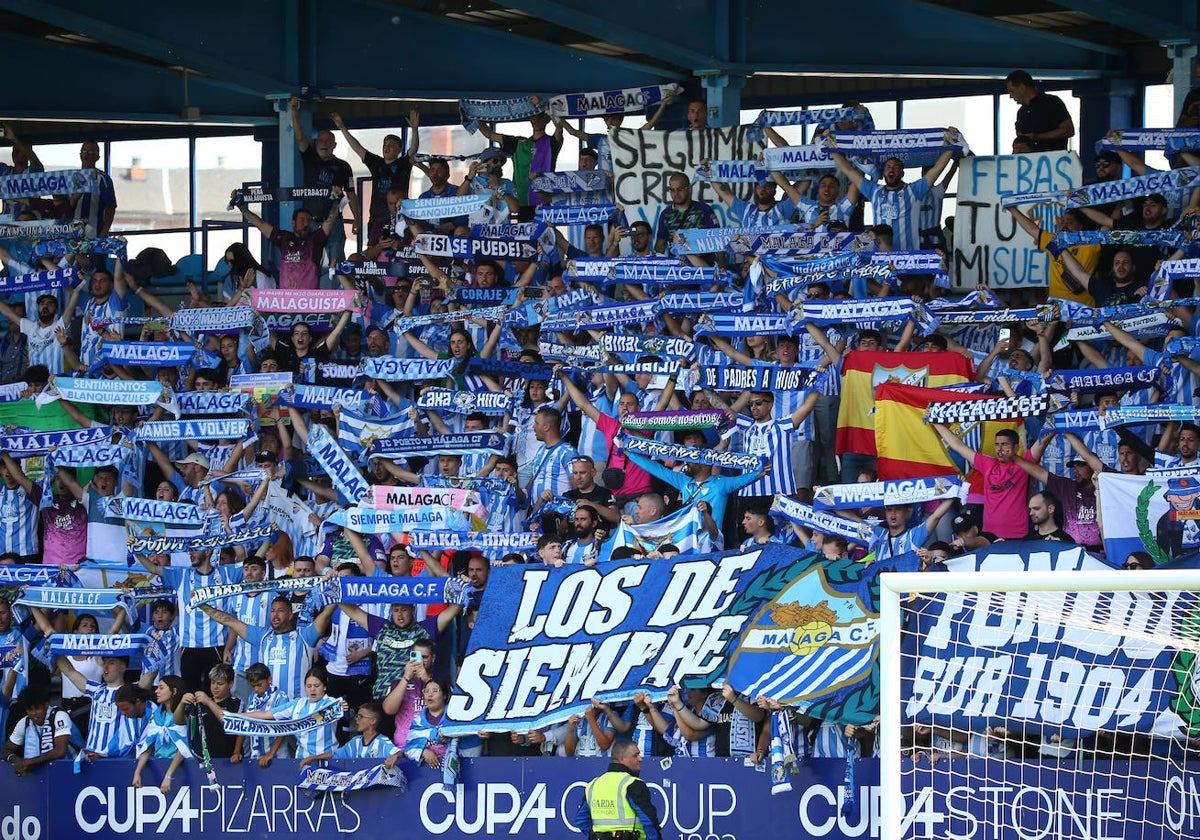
{"points": [[1015, 707]]}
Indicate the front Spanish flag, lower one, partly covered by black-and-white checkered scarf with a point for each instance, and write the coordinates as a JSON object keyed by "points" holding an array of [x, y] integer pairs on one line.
{"points": [[909, 448]]}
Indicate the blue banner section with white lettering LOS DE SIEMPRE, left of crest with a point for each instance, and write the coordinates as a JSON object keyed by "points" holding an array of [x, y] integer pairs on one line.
{"points": [[550, 640]]}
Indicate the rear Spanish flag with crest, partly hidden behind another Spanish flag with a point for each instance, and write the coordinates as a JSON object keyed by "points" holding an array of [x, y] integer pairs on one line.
{"points": [[863, 370]]}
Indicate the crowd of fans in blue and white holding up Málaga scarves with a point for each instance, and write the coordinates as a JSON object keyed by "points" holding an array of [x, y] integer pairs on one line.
{"points": [[471, 376]]}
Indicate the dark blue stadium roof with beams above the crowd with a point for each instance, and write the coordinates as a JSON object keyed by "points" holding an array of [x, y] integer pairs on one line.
{"points": [[224, 64]]}
